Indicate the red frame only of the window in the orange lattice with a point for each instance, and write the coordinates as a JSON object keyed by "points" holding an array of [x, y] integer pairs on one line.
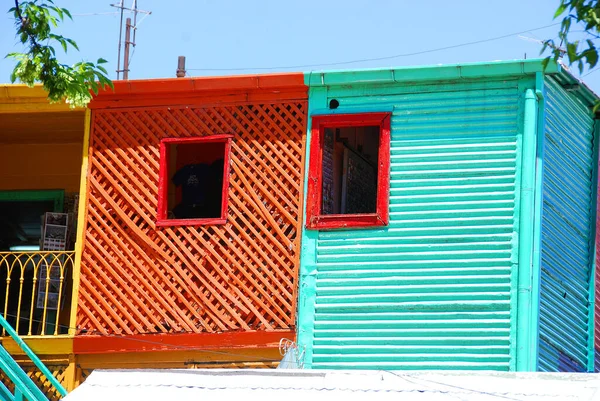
{"points": [[163, 182]]}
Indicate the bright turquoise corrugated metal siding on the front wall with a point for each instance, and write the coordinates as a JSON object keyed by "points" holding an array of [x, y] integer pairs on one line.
{"points": [[432, 290]]}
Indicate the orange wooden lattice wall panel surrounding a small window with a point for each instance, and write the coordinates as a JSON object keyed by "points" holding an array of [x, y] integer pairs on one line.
{"points": [[139, 278]]}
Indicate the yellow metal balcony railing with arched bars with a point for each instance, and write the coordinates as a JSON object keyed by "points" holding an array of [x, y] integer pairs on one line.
{"points": [[34, 291]]}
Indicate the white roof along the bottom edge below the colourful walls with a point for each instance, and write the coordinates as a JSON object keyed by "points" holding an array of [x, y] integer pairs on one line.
{"points": [[316, 385]]}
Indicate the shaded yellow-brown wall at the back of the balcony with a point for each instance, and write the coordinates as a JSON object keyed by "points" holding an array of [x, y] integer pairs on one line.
{"points": [[40, 166]]}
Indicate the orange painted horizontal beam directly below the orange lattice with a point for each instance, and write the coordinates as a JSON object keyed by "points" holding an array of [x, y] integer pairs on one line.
{"points": [[97, 344]]}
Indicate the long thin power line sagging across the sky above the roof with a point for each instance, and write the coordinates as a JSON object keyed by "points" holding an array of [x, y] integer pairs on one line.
{"points": [[378, 58]]}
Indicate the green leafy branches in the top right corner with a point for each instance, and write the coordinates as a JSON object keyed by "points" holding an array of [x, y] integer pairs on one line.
{"points": [[586, 13]]}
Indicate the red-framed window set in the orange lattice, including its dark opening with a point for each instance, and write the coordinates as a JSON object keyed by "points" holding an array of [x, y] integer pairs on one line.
{"points": [[193, 180]]}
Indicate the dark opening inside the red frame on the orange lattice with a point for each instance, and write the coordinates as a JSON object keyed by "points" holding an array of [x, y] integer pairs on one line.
{"points": [[195, 173]]}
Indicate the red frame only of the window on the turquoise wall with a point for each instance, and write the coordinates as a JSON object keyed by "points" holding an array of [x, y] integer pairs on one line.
{"points": [[314, 218]]}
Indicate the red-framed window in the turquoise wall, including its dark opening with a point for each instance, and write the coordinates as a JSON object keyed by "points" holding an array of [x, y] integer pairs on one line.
{"points": [[349, 171]]}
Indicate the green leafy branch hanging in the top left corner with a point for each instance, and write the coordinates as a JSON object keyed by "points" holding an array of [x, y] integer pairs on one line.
{"points": [[34, 22]]}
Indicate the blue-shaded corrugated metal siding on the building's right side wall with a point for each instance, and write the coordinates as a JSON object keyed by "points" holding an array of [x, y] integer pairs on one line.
{"points": [[566, 233]]}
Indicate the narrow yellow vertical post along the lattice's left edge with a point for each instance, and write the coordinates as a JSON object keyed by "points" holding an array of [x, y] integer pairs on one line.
{"points": [[81, 219]]}
